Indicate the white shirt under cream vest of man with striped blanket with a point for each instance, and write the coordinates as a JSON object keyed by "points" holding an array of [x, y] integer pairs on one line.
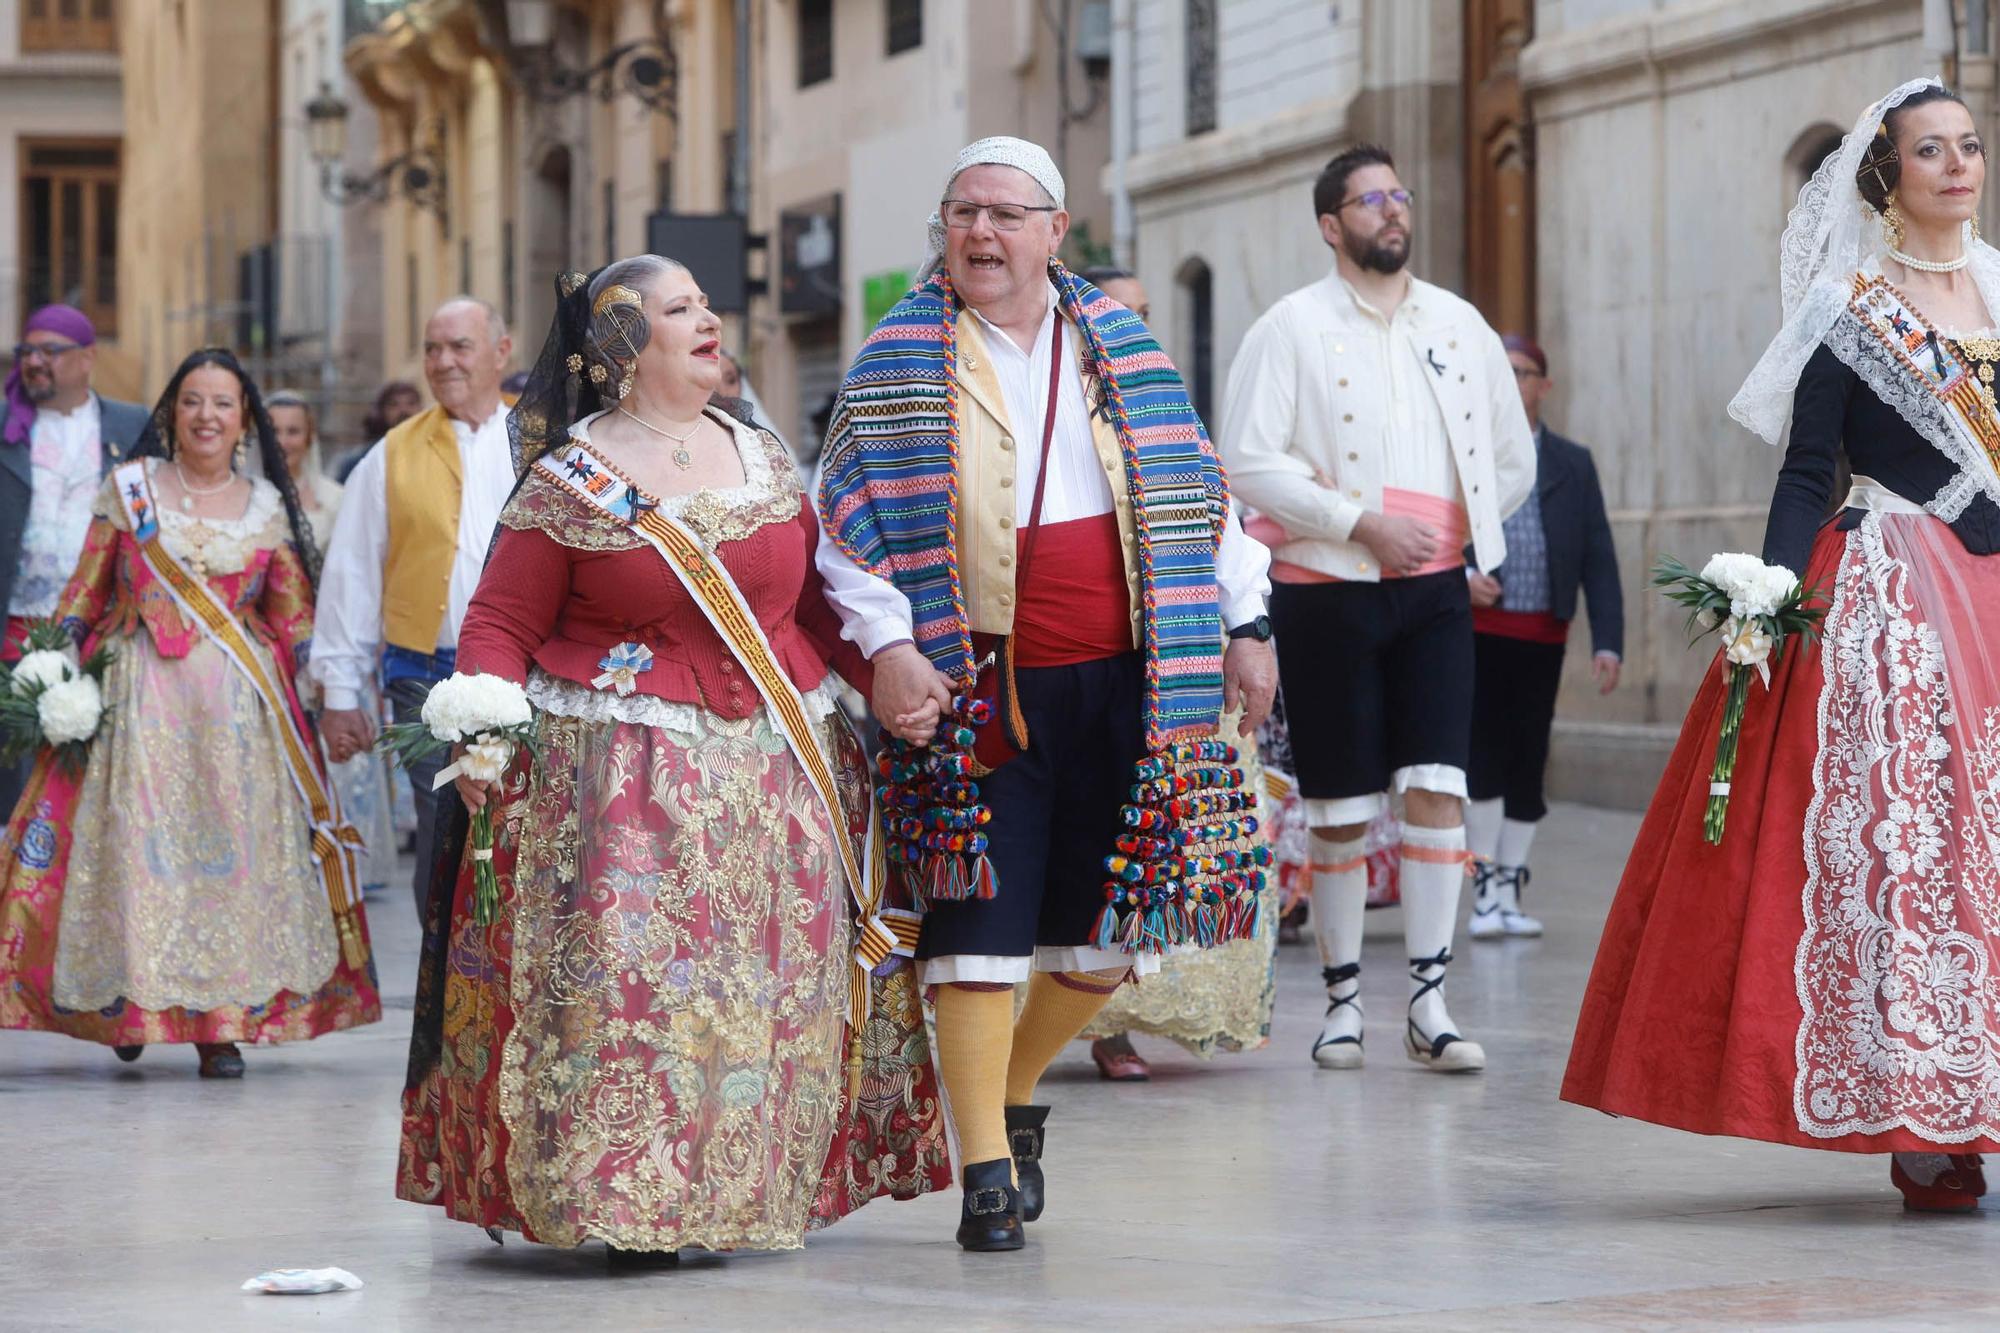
{"points": [[877, 615]]}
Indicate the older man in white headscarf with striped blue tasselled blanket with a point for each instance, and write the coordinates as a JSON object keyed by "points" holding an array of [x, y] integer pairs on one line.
{"points": [[1007, 459]]}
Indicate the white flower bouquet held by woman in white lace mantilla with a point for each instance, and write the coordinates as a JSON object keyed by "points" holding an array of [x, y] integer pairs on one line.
{"points": [[1759, 609]]}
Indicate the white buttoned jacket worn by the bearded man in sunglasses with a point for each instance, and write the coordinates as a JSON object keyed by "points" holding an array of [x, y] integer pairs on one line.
{"points": [[1421, 401]]}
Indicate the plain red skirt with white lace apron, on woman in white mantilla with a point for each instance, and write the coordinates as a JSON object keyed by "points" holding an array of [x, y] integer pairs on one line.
{"points": [[1831, 974]]}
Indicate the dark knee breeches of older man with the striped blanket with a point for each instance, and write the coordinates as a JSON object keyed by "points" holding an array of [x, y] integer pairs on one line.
{"points": [[1057, 814]]}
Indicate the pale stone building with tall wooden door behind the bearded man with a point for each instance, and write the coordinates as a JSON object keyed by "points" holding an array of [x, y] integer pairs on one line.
{"points": [[1609, 175]]}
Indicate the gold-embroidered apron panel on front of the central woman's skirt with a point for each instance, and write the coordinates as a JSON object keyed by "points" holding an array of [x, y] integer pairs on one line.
{"points": [[679, 986]]}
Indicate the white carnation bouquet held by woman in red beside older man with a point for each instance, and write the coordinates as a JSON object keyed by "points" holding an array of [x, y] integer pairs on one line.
{"points": [[491, 720]]}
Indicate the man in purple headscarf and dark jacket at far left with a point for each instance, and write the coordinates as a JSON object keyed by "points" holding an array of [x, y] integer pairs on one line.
{"points": [[57, 443]]}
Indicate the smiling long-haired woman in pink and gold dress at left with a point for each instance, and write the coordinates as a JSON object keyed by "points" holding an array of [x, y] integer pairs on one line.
{"points": [[195, 882]]}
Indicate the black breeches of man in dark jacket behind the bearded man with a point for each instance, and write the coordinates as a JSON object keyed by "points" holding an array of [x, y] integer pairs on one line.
{"points": [[1513, 708]]}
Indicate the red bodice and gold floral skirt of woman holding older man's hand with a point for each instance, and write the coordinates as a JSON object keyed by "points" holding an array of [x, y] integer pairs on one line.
{"points": [[649, 1048]]}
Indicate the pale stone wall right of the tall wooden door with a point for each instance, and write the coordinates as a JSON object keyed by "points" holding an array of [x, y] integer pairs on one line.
{"points": [[1669, 145]]}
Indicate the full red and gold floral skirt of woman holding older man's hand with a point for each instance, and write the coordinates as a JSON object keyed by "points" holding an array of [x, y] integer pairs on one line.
{"points": [[651, 1046]]}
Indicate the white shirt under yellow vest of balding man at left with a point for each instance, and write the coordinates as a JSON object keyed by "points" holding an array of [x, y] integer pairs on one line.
{"points": [[347, 639]]}
